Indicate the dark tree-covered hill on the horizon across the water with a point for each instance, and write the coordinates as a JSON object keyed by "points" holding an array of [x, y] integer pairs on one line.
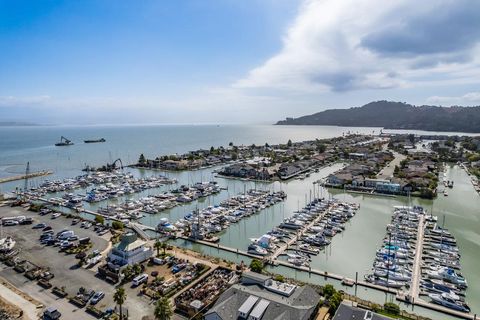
{"points": [[396, 115]]}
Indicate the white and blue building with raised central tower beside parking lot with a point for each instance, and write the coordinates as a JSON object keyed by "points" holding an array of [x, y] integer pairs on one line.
{"points": [[130, 250]]}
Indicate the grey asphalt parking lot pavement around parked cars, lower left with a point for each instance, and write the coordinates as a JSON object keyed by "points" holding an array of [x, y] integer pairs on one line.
{"points": [[66, 271]]}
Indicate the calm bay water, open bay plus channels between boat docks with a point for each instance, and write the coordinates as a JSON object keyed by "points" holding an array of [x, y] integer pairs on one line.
{"points": [[350, 252]]}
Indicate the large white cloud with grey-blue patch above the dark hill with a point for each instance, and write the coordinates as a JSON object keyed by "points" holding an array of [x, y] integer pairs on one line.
{"points": [[373, 44]]}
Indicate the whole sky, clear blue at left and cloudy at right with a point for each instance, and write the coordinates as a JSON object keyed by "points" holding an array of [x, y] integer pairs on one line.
{"points": [[195, 61]]}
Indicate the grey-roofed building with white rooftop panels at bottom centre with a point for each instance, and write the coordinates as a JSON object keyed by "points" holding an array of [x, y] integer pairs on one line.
{"points": [[259, 297]]}
